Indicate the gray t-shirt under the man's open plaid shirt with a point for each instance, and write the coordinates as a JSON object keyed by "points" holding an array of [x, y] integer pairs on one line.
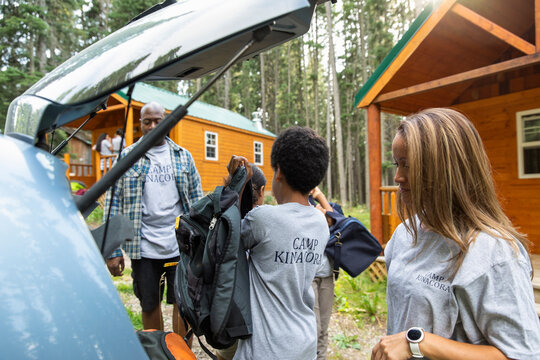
{"points": [[160, 206]]}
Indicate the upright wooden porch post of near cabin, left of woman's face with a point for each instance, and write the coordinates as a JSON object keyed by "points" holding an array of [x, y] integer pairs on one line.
{"points": [[374, 153]]}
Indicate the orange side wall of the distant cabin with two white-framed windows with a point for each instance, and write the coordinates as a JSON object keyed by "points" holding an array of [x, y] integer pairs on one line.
{"points": [[231, 141]]}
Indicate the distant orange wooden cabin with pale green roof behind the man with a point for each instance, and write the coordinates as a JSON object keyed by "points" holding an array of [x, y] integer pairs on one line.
{"points": [[212, 134]]}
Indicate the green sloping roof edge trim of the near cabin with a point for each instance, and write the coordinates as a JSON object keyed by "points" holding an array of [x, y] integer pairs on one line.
{"points": [[418, 22]]}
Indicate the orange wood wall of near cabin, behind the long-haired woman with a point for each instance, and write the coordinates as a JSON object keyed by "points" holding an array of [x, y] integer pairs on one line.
{"points": [[495, 120]]}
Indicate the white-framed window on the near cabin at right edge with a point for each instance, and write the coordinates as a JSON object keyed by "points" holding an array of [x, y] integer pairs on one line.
{"points": [[528, 140]]}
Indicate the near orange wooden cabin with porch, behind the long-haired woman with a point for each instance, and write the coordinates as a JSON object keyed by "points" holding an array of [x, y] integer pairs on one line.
{"points": [[481, 57]]}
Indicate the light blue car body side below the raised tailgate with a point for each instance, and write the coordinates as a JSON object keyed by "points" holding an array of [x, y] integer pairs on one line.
{"points": [[57, 299]]}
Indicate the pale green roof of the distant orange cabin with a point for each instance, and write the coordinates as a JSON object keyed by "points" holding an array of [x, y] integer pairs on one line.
{"points": [[145, 93]]}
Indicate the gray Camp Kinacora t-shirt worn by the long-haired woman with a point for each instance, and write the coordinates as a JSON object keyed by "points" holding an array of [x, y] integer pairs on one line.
{"points": [[489, 301]]}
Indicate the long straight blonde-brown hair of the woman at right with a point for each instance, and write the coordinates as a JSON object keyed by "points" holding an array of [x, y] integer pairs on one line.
{"points": [[452, 190]]}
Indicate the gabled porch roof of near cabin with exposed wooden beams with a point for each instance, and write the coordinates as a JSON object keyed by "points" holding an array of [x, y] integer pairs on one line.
{"points": [[451, 51]]}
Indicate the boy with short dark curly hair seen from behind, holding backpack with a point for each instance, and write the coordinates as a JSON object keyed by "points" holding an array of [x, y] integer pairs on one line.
{"points": [[286, 244]]}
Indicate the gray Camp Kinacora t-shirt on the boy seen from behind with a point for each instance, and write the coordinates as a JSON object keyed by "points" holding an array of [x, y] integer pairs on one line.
{"points": [[286, 245]]}
